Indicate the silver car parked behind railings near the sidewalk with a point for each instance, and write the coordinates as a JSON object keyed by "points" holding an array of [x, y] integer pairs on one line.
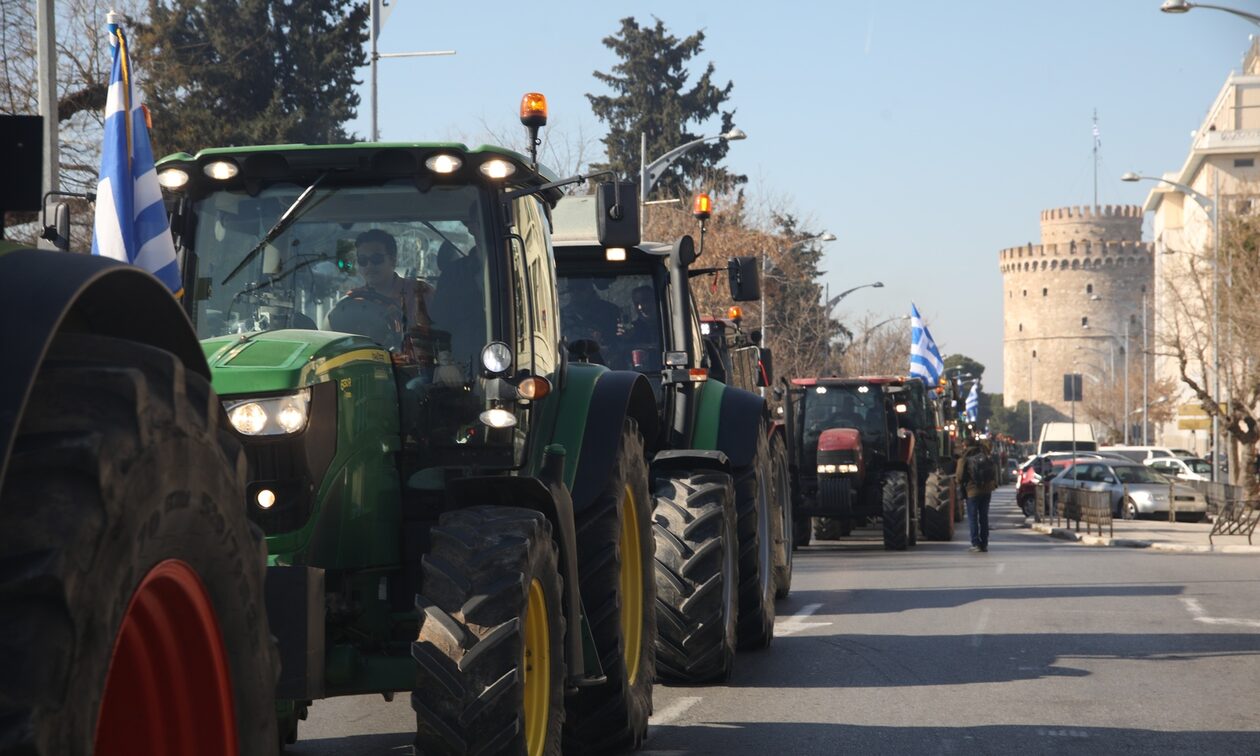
{"points": [[1136, 490]]}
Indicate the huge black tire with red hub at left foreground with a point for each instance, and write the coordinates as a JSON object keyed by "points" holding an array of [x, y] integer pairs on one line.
{"points": [[123, 478]]}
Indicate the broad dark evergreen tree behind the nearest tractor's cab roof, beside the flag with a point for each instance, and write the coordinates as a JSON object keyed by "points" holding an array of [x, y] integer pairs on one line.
{"points": [[224, 72]]}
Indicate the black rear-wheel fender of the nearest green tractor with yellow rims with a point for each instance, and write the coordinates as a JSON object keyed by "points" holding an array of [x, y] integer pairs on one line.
{"points": [[618, 395]]}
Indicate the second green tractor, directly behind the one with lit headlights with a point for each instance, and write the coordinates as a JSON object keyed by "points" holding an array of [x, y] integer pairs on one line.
{"points": [[629, 307]]}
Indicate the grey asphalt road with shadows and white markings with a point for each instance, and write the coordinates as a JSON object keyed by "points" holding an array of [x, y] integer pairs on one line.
{"points": [[1038, 647]]}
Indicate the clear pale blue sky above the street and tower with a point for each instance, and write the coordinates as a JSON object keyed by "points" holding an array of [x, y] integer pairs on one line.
{"points": [[927, 137]]}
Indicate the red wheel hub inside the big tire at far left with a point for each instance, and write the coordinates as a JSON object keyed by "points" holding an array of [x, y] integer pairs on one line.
{"points": [[169, 689]]}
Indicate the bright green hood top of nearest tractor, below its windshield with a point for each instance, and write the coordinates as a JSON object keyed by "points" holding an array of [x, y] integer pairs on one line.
{"points": [[284, 360]]}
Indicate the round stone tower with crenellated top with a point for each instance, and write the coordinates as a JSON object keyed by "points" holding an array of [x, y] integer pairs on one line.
{"points": [[1092, 269]]}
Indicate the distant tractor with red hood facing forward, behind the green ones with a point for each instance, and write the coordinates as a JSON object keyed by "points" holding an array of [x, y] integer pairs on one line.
{"points": [[854, 457]]}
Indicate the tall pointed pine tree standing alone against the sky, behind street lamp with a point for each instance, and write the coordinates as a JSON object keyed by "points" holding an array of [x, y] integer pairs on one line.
{"points": [[652, 96]]}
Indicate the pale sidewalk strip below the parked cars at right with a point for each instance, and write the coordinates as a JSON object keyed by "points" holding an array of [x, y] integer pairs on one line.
{"points": [[1155, 535]]}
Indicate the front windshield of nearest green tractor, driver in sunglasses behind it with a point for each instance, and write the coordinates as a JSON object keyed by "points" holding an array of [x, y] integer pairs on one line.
{"points": [[386, 261]]}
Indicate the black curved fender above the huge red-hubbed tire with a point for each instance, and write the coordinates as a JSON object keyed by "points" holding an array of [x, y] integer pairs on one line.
{"points": [[46, 293]]}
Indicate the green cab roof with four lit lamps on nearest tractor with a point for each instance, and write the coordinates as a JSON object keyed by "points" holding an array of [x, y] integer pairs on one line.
{"points": [[253, 166]]}
